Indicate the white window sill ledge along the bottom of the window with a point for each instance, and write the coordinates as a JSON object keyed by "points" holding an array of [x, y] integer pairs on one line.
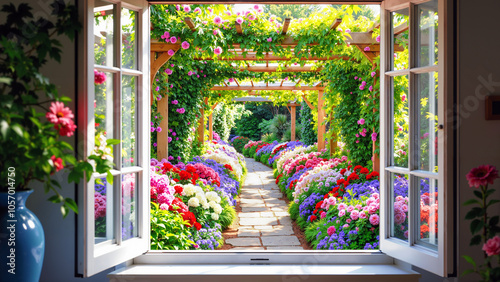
{"points": [[282, 272]]}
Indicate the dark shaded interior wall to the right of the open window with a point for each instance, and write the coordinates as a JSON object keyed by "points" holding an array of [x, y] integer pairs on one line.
{"points": [[479, 139]]}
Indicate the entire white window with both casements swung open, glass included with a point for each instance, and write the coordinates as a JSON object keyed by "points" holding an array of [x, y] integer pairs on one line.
{"points": [[116, 39]]}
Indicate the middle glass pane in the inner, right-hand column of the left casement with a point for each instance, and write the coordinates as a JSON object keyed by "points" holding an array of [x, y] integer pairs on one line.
{"points": [[129, 115]]}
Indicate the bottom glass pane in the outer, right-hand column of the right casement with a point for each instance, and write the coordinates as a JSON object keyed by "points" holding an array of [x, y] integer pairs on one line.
{"points": [[428, 212]]}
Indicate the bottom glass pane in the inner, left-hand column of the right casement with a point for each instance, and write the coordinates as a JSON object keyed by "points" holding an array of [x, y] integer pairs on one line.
{"points": [[399, 218]]}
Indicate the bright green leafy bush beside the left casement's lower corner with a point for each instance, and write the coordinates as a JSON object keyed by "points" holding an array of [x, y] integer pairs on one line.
{"points": [[168, 230]]}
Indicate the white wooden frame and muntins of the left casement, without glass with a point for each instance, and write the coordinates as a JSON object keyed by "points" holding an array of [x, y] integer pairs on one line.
{"points": [[94, 258]]}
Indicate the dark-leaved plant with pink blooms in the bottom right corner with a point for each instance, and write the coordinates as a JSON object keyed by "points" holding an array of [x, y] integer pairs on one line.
{"points": [[484, 226]]}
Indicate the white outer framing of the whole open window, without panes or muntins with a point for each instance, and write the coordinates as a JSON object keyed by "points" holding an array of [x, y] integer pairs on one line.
{"points": [[93, 259]]}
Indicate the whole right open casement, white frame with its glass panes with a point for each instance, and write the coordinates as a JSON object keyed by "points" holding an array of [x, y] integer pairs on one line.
{"points": [[415, 207]]}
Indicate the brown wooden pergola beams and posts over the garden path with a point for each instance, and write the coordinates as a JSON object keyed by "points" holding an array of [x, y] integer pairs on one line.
{"points": [[361, 40]]}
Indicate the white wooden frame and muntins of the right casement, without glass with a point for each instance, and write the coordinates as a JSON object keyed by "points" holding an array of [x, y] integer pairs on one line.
{"points": [[440, 261]]}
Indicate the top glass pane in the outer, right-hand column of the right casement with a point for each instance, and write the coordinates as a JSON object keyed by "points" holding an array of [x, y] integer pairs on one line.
{"points": [[427, 35]]}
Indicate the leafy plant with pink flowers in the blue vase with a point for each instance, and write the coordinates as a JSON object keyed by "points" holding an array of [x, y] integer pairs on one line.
{"points": [[35, 121]]}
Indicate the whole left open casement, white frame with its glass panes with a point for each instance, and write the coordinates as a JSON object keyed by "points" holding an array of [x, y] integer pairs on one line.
{"points": [[114, 223]]}
